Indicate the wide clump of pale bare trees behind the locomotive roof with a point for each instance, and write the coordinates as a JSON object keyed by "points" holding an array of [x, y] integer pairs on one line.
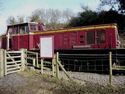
{"points": [[53, 18]]}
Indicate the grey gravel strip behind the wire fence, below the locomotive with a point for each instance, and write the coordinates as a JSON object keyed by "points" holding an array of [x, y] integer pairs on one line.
{"points": [[91, 77]]}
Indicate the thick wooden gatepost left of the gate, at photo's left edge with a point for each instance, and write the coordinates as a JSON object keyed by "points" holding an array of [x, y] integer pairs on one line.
{"points": [[1, 62]]}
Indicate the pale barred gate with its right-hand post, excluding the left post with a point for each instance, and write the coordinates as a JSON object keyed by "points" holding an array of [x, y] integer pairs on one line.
{"points": [[14, 61]]}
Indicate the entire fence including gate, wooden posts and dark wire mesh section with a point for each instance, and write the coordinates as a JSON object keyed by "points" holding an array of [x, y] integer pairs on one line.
{"points": [[12, 62]]}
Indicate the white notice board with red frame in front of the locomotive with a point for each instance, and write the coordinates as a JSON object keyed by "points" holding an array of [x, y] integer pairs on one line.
{"points": [[47, 46]]}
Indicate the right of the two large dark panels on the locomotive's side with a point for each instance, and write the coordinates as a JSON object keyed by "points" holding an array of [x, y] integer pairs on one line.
{"points": [[101, 37]]}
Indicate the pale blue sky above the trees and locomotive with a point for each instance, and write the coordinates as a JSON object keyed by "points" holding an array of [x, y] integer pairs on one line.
{"points": [[25, 7]]}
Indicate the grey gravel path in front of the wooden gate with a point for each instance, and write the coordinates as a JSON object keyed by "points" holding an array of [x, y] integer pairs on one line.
{"points": [[12, 80]]}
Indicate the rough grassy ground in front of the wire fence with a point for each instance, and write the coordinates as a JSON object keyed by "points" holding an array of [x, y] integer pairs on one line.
{"points": [[46, 84]]}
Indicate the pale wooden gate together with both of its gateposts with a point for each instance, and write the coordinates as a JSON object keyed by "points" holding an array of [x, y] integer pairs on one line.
{"points": [[11, 61]]}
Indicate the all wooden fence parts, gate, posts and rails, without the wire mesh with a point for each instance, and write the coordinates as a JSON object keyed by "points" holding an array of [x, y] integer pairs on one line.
{"points": [[14, 61]]}
